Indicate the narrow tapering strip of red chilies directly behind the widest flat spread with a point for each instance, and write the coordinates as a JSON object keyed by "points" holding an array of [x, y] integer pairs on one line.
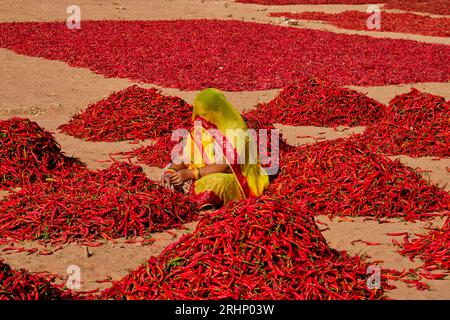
{"points": [[390, 22]]}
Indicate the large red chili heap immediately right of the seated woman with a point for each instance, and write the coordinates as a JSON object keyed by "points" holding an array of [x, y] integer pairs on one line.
{"points": [[345, 177]]}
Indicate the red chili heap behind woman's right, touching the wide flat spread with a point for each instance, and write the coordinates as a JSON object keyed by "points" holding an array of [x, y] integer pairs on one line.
{"points": [[316, 102]]}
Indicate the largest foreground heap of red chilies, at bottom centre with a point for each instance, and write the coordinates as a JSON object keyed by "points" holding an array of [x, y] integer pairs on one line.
{"points": [[259, 248]]}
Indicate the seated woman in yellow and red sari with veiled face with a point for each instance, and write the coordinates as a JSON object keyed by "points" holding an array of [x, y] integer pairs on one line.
{"points": [[211, 166]]}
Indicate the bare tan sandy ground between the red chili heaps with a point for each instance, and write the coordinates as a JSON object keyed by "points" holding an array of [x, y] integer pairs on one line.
{"points": [[51, 91]]}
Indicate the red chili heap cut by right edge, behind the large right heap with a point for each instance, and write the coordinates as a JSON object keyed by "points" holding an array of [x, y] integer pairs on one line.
{"points": [[415, 124]]}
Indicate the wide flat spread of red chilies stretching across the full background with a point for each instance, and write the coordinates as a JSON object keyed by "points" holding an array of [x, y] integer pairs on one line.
{"points": [[195, 54]]}
